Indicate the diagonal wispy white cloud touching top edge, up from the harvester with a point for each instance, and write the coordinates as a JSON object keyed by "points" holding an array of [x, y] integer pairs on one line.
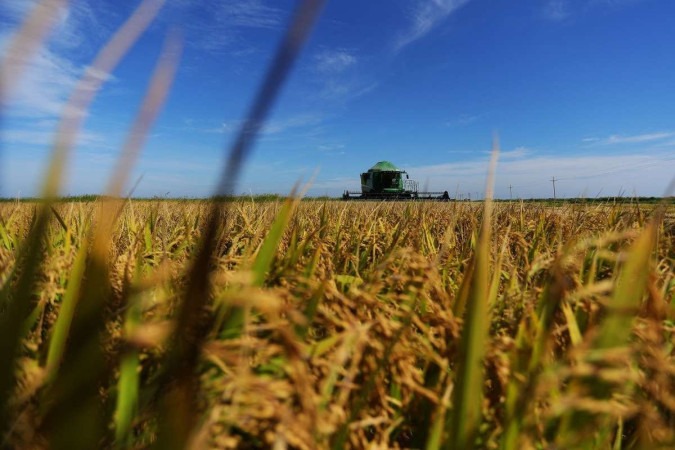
{"points": [[424, 17]]}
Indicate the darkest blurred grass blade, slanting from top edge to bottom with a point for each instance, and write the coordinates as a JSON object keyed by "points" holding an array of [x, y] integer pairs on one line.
{"points": [[177, 416]]}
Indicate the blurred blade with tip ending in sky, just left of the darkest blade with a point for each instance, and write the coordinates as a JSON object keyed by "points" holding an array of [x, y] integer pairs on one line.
{"points": [[75, 402]]}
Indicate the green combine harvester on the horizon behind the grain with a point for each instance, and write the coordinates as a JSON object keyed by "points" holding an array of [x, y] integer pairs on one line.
{"points": [[384, 181]]}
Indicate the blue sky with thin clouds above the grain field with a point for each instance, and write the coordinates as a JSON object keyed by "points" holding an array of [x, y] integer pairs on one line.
{"points": [[580, 90]]}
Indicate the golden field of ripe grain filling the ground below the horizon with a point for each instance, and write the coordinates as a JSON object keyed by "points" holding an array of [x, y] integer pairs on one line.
{"points": [[337, 325]]}
